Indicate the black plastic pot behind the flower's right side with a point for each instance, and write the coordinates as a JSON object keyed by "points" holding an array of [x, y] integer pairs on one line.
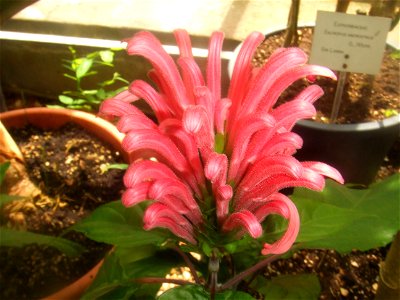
{"points": [[356, 150]]}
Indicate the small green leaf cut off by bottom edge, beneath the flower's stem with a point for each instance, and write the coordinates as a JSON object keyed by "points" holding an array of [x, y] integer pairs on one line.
{"points": [[187, 292]]}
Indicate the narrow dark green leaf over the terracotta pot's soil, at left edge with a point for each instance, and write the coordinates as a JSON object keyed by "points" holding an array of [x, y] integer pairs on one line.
{"points": [[16, 238]]}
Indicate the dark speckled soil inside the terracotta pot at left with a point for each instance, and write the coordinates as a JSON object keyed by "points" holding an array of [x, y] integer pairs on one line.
{"points": [[67, 164]]}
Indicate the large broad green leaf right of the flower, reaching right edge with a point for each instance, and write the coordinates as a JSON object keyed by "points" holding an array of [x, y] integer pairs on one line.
{"points": [[343, 219]]}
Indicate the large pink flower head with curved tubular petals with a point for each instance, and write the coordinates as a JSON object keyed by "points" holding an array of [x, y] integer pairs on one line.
{"points": [[220, 161]]}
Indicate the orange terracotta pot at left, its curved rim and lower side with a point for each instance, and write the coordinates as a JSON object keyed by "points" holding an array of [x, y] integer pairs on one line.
{"points": [[54, 118]]}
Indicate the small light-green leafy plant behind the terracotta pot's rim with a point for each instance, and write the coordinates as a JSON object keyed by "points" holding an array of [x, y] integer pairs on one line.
{"points": [[87, 97]]}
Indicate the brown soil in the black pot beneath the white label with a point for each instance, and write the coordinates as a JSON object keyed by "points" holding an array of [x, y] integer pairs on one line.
{"points": [[360, 103]]}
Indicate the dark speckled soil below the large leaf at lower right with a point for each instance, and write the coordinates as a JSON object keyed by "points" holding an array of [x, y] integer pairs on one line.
{"points": [[342, 276]]}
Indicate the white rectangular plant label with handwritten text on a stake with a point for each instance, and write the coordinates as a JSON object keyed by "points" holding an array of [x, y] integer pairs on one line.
{"points": [[349, 43]]}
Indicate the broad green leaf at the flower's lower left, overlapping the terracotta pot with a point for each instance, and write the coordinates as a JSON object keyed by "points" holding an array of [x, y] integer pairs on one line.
{"points": [[115, 224]]}
